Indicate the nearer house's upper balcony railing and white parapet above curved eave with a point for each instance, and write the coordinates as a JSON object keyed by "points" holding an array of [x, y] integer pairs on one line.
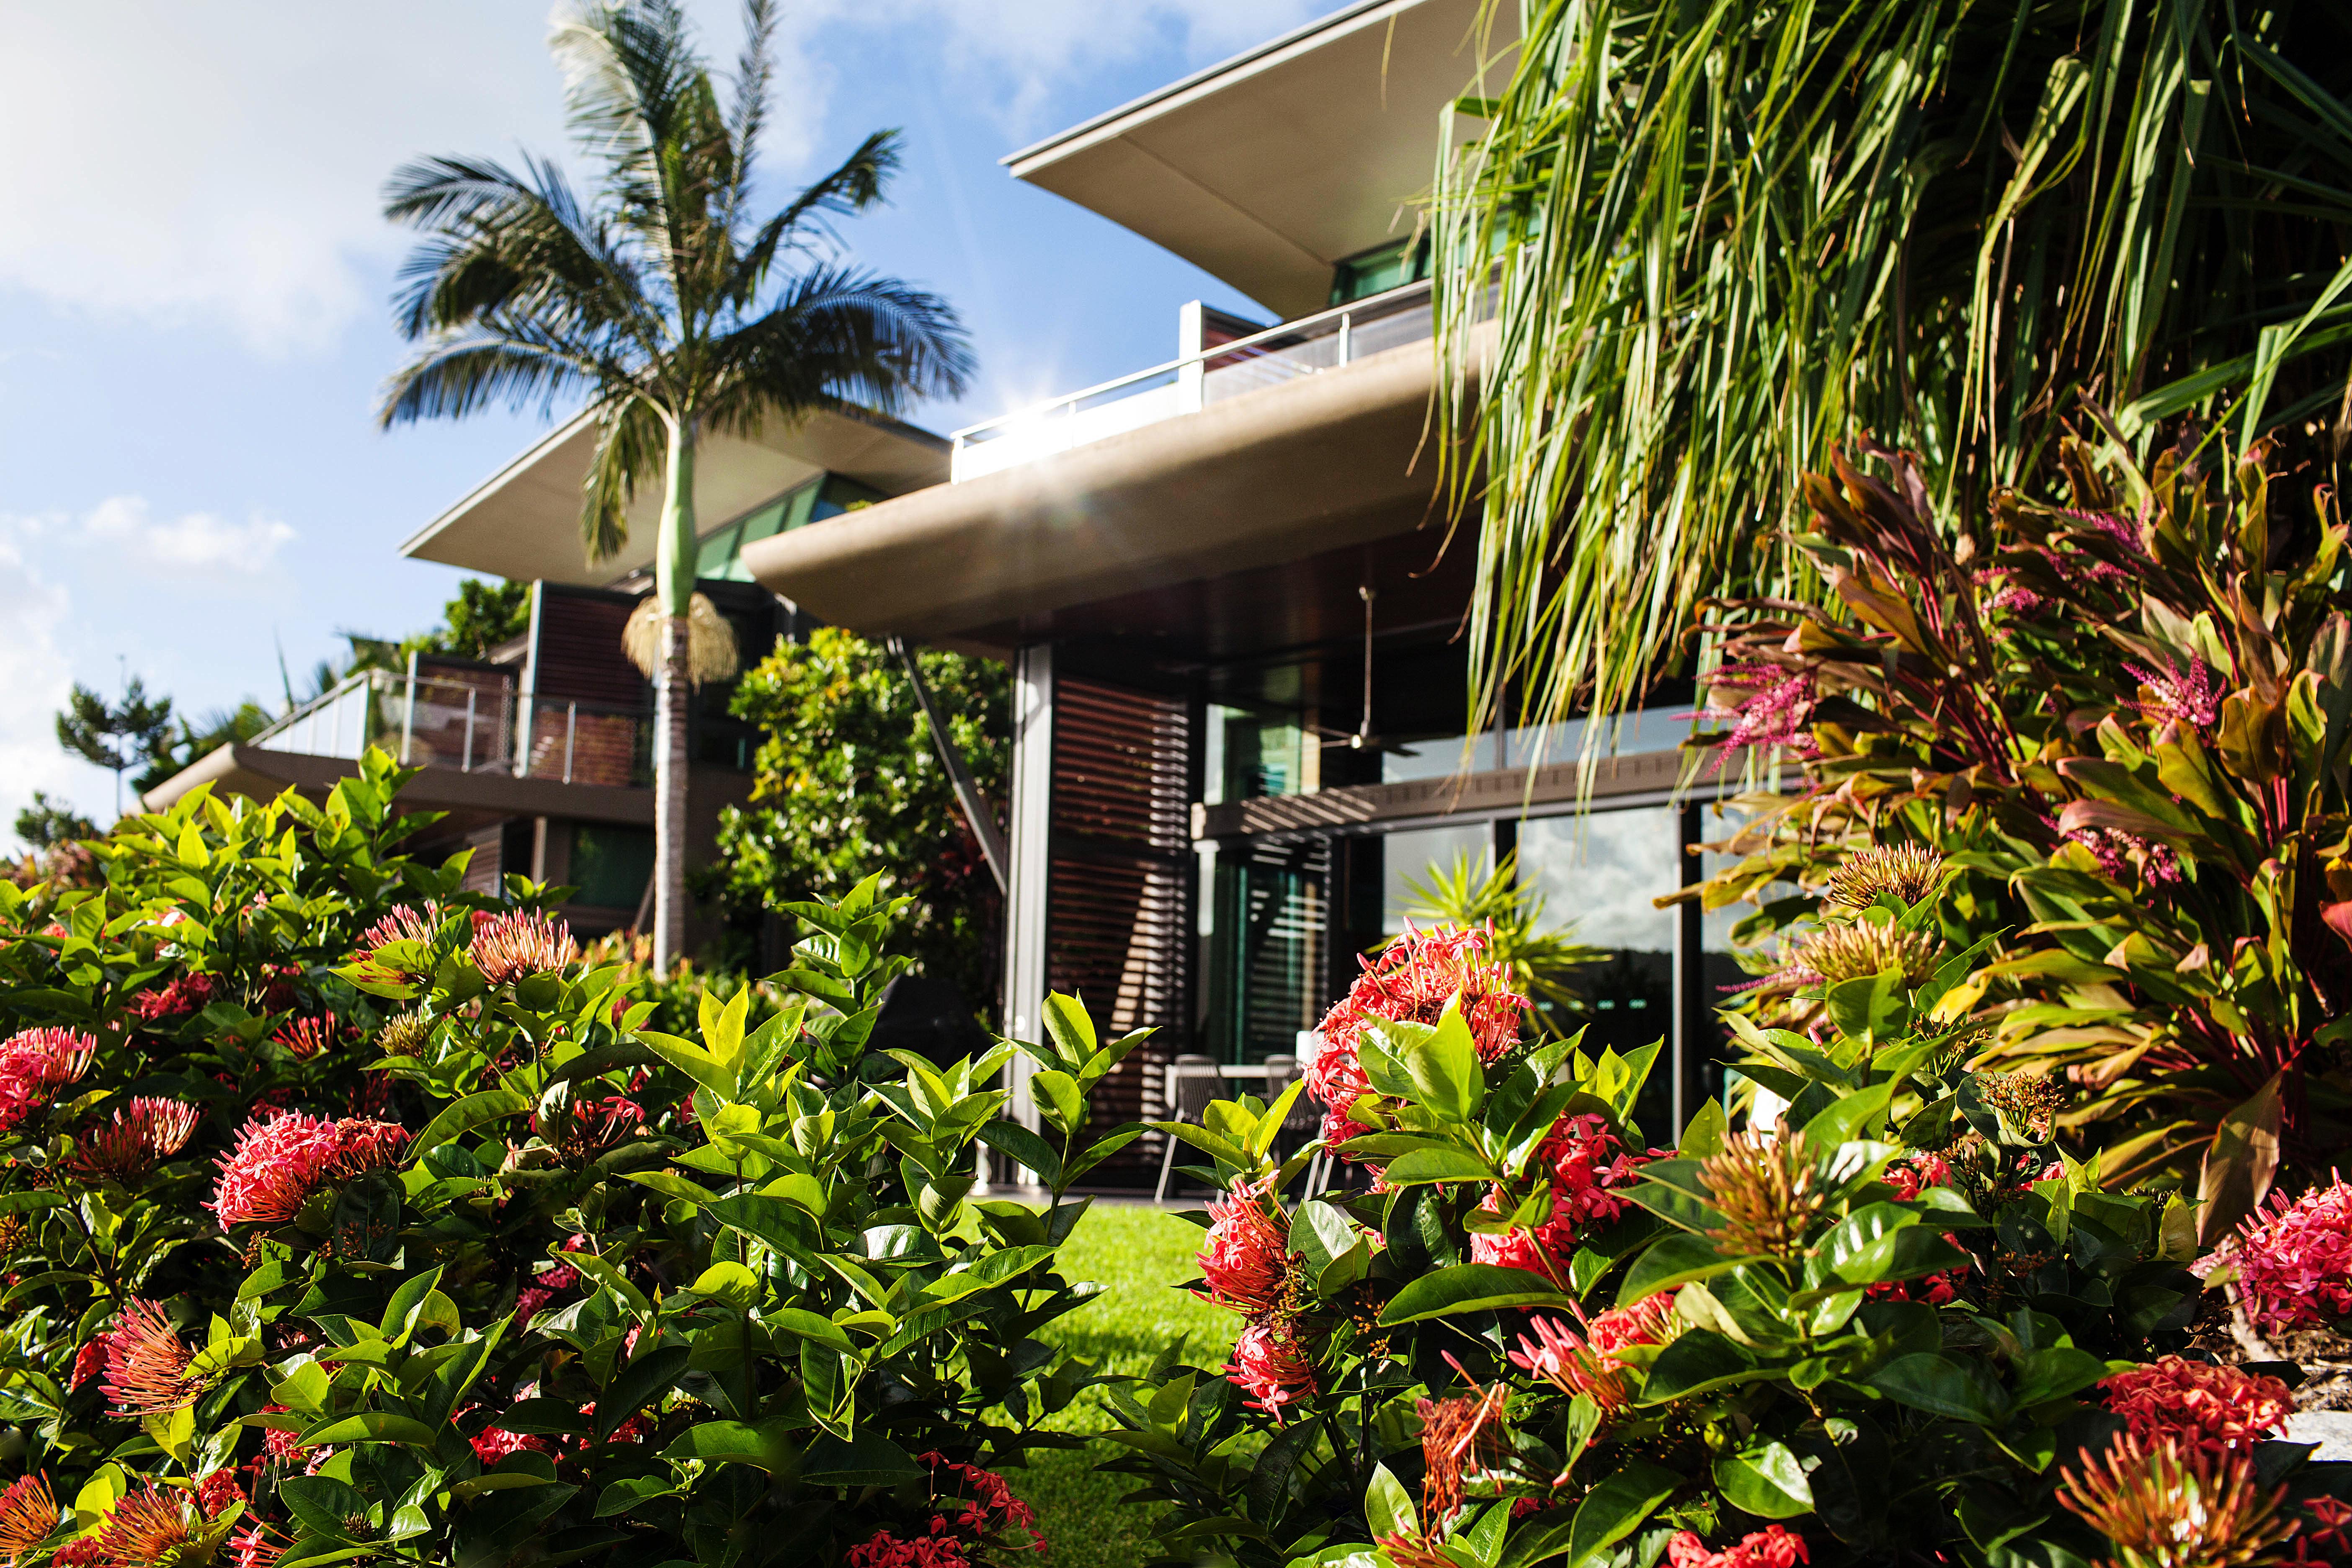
{"points": [[1217, 363]]}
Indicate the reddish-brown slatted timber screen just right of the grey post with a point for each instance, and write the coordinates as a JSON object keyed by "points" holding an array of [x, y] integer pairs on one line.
{"points": [[1118, 913]]}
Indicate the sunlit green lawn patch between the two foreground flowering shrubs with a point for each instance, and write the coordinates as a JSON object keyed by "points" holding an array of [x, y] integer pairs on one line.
{"points": [[1140, 1254]]}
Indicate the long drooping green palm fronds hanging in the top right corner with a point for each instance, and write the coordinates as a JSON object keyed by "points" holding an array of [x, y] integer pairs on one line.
{"points": [[1711, 241]]}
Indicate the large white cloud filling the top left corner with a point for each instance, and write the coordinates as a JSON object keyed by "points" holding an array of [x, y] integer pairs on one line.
{"points": [[220, 163]]}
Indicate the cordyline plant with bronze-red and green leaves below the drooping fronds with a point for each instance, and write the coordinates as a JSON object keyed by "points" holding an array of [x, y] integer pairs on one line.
{"points": [[2125, 730]]}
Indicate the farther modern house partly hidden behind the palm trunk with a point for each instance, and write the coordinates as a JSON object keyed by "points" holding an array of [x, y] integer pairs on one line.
{"points": [[542, 753]]}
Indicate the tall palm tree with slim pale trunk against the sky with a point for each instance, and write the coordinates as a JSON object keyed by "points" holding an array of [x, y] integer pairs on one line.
{"points": [[662, 307]]}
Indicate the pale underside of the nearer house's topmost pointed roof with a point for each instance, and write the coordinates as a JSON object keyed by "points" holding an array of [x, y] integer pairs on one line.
{"points": [[1281, 163]]}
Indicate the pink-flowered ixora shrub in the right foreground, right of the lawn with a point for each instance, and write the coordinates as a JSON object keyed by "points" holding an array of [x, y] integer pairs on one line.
{"points": [[1897, 1327]]}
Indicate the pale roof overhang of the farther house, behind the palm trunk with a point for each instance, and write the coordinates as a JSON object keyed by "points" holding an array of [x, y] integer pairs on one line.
{"points": [[526, 521]]}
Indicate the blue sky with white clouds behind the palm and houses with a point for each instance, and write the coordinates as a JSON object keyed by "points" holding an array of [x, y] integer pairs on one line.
{"points": [[194, 326]]}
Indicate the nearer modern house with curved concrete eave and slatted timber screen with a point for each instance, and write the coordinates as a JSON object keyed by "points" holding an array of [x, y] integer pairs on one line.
{"points": [[1241, 721]]}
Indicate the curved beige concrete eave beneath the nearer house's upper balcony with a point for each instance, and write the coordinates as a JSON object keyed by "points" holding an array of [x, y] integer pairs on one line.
{"points": [[1257, 481]]}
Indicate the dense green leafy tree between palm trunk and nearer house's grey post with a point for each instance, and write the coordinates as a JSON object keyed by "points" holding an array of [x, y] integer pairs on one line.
{"points": [[848, 782]]}
